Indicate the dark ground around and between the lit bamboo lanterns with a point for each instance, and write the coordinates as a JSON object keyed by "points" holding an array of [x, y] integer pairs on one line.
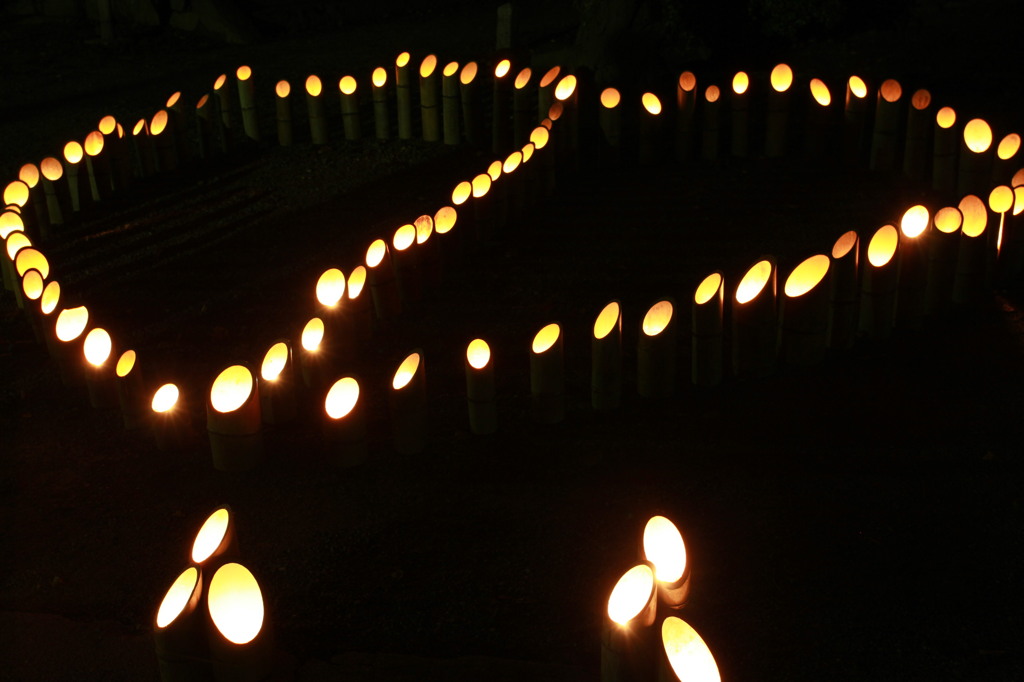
{"points": [[859, 521]]}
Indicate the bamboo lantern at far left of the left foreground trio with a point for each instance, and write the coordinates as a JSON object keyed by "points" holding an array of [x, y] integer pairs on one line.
{"points": [[180, 631]]}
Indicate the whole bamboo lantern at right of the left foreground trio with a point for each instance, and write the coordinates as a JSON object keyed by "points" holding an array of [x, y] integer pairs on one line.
{"points": [[239, 641]]}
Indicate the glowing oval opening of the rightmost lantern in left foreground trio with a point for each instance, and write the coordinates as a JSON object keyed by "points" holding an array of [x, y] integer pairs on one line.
{"points": [[236, 604]]}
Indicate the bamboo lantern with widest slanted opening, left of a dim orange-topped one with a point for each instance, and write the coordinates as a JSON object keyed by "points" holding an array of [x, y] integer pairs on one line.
{"points": [[804, 312]]}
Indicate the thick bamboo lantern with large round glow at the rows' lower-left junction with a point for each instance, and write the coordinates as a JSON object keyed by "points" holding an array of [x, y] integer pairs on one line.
{"points": [[234, 421]]}
